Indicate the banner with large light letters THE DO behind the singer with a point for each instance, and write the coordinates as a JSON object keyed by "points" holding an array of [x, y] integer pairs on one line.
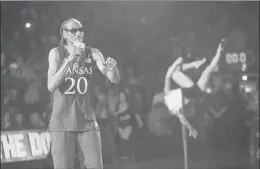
{"points": [[18, 146]]}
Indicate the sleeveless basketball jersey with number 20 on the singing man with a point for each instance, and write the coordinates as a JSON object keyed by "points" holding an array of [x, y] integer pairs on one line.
{"points": [[72, 110]]}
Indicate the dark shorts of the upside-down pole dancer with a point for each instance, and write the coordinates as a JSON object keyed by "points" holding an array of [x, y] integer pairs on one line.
{"points": [[192, 92]]}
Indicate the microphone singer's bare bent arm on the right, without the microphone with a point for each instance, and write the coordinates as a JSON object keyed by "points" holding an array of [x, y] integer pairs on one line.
{"points": [[112, 74]]}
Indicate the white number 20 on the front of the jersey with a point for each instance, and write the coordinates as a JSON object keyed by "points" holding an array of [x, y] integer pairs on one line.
{"points": [[70, 91]]}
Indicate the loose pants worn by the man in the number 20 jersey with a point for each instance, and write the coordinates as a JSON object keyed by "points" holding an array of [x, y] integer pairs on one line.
{"points": [[88, 147]]}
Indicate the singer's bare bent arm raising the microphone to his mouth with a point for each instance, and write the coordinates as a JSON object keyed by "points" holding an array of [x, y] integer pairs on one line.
{"points": [[56, 77]]}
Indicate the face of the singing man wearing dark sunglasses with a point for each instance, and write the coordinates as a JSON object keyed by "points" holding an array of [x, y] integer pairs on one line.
{"points": [[73, 31]]}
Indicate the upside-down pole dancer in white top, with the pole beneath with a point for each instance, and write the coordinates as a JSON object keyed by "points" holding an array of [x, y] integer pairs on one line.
{"points": [[188, 91]]}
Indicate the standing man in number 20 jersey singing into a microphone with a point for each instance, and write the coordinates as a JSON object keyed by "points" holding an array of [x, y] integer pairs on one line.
{"points": [[73, 123]]}
